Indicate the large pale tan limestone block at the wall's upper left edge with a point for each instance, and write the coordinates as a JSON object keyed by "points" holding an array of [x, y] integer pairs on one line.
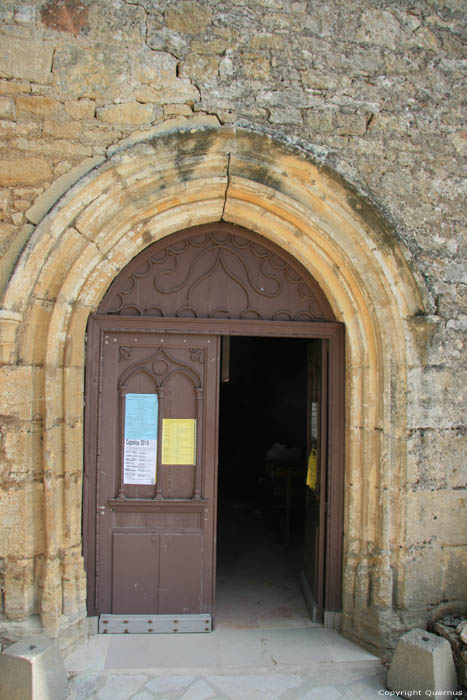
{"points": [[26, 60]]}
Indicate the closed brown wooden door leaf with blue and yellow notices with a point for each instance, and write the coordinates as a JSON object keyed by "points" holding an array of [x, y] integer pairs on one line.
{"points": [[154, 543]]}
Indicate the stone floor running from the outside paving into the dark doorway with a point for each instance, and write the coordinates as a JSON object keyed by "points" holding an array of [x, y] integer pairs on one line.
{"points": [[264, 645]]}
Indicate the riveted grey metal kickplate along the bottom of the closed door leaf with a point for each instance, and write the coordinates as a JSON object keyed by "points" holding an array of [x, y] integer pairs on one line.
{"points": [[154, 624]]}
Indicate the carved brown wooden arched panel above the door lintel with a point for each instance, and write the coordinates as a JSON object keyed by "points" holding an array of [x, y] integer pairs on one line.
{"points": [[216, 271]]}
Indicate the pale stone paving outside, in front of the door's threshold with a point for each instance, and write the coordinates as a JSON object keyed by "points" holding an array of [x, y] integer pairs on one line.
{"points": [[290, 664]]}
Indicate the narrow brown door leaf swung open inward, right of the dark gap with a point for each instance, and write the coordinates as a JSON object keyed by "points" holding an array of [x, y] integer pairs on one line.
{"points": [[316, 498]]}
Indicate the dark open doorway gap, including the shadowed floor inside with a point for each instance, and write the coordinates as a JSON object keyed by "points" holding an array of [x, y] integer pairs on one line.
{"points": [[265, 436]]}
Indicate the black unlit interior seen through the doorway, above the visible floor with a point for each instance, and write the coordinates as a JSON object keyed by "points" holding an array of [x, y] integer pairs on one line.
{"points": [[262, 452]]}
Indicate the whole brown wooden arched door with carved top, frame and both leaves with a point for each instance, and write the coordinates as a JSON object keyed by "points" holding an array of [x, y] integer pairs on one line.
{"points": [[154, 364]]}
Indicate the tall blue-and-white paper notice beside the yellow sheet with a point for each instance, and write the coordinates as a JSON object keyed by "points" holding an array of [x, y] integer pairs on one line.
{"points": [[140, 442]]}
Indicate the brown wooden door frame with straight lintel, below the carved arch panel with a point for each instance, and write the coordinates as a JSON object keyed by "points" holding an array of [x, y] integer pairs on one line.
{"points": [[333, 332]]}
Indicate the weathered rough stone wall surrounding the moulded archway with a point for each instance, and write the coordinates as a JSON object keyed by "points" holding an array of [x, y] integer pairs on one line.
{"points": [[369, 90]]}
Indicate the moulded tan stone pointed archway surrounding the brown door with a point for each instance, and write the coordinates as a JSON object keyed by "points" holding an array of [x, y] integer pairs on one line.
{"points": [[183, 179]]}
